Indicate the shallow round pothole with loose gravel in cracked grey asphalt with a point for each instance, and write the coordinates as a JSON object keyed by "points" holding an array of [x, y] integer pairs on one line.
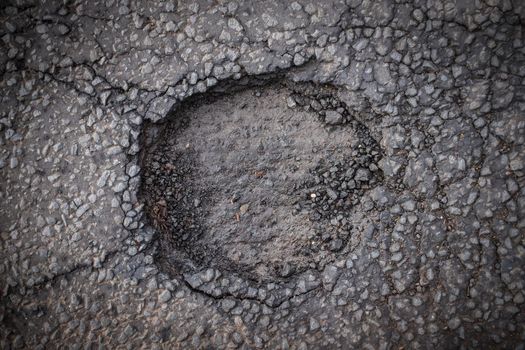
{"points": [[259, 184]]}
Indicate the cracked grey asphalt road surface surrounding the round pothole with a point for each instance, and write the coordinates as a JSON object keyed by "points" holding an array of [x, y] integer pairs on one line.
{"points": [[438, 257]]}
